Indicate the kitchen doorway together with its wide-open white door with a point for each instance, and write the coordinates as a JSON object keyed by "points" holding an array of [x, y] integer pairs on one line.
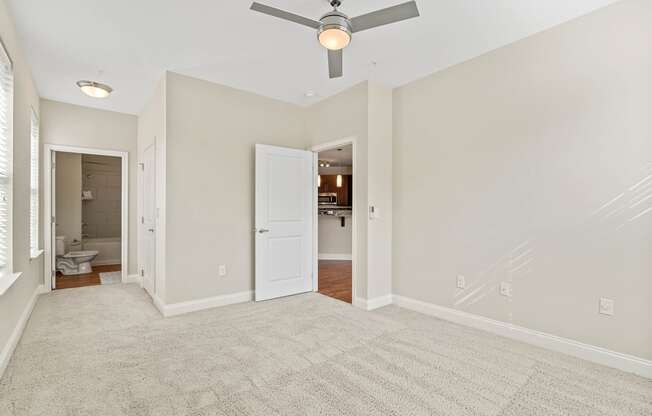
{"points": [[286, 221]]}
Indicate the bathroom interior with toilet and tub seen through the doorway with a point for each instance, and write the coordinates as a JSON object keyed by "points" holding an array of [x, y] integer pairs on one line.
{"points": [[88, 206]]}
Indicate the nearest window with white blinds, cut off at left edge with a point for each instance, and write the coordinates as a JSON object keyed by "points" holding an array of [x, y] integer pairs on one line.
{"points": [[6, 144]]}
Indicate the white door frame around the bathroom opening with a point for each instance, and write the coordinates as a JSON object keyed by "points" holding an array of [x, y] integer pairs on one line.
{"points": [[49, 149]]}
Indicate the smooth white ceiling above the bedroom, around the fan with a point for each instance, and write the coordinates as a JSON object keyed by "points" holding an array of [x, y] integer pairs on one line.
{"points": [[134, 41]]}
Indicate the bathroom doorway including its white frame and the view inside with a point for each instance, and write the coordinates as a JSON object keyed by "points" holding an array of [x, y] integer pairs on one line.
{"points": [[86, 206]]}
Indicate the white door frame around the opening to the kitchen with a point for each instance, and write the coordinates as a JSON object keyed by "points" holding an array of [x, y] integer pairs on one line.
{"points": [[354, 217]]}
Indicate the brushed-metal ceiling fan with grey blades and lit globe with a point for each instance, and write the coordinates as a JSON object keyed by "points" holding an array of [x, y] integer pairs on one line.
{"points": [[334, 29]]}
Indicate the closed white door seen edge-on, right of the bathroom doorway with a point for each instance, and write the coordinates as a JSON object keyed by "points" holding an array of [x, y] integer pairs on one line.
{"points": [[148, 220]]}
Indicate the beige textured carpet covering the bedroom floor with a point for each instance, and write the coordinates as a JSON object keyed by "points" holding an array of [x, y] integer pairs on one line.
{"points": [[104, 350]]}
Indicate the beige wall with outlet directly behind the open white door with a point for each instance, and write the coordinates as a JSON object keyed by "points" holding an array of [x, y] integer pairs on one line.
{"points": [[210, 136]]}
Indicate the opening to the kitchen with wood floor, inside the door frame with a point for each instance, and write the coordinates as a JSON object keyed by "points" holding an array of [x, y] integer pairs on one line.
{"points": [[335, 222]]}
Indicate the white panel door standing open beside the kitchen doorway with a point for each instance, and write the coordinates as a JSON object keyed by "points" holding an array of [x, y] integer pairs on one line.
{"points": [[284, 188]]}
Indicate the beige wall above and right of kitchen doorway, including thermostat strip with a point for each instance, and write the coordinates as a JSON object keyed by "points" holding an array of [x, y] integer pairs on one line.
{"points": [[365, 113]]}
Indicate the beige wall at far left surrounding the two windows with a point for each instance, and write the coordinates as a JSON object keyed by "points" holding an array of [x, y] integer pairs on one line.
{"points": [[14, 301]]}
